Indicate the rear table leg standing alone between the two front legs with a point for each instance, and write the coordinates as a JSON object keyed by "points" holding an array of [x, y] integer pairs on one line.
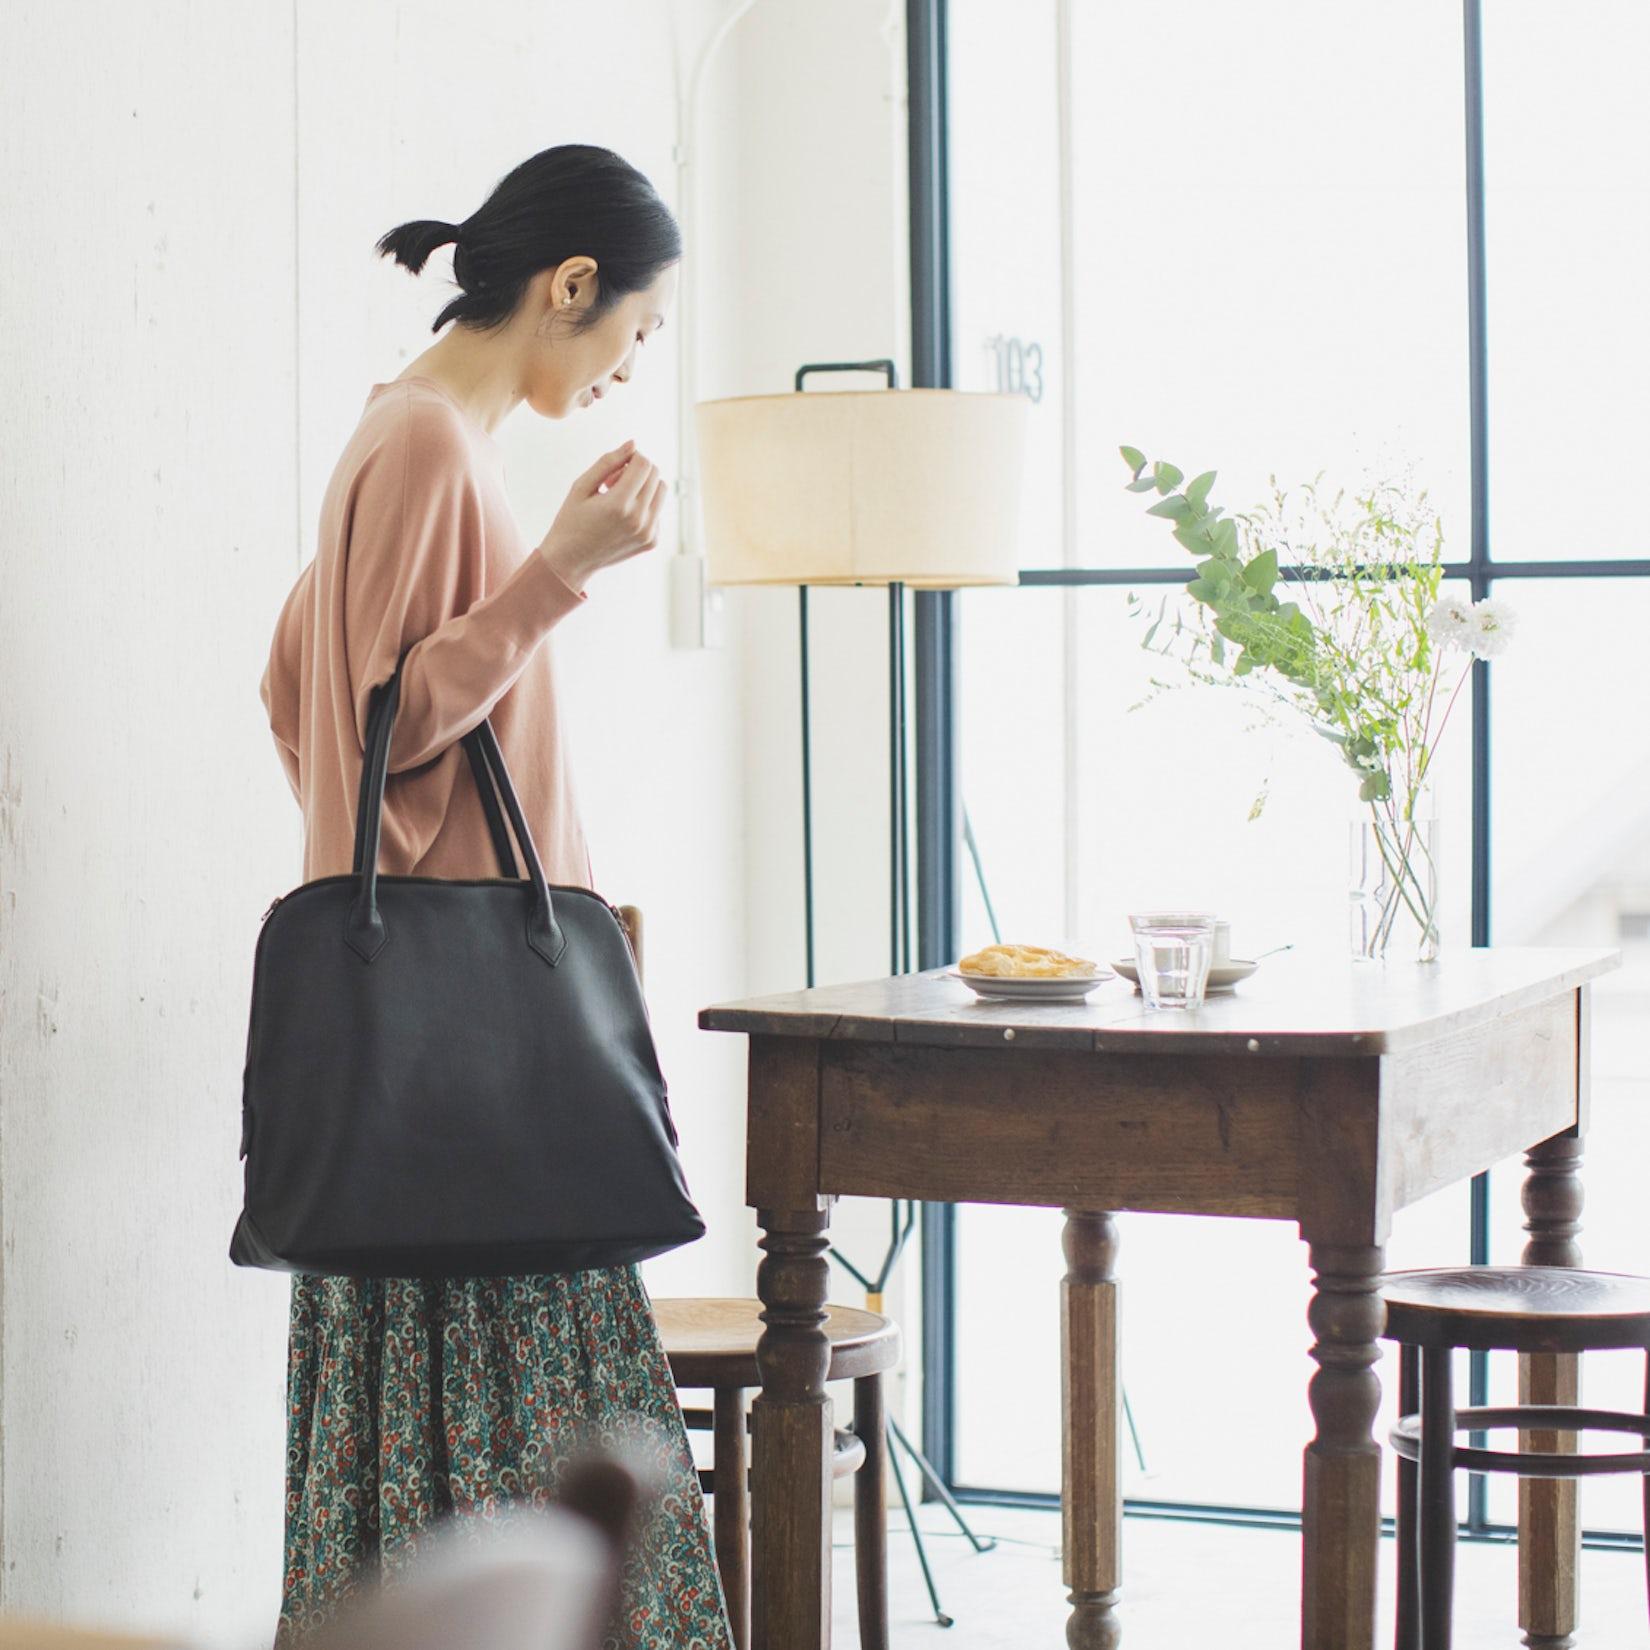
{"points": [[1091, 1497]]}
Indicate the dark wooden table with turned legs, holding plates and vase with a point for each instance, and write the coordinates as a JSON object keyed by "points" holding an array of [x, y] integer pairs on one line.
{"points": [[1324, 1093]]}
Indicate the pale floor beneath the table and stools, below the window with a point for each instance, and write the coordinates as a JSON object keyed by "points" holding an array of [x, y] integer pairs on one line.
{"points": [[1187, 1586]]}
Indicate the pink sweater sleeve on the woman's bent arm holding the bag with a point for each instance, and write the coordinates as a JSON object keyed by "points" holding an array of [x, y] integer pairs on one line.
{"points": [[415, 575]]}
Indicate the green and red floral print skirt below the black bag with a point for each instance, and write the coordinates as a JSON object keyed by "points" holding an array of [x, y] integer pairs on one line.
{"points": [[418, 1400]]}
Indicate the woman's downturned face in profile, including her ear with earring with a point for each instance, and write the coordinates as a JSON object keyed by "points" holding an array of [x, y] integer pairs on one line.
{"points": [[580, 369]]}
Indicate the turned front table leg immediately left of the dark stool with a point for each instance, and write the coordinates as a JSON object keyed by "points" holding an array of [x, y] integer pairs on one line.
{"points": [[1342, 1483]]}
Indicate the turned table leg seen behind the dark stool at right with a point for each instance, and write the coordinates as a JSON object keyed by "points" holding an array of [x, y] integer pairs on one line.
{"points": [[1549, 1527]]}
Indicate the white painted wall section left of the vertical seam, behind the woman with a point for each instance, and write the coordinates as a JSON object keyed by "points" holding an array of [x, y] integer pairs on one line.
{"points": [[151, 519]]}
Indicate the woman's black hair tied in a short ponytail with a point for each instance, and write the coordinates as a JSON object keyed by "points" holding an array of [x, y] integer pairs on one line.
{"points": [[567, 200]]}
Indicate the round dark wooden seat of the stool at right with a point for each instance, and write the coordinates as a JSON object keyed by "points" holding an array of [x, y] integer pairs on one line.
{"points": [[1519, 1308]]}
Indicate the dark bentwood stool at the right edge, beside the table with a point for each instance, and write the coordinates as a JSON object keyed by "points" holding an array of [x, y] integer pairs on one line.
{"points": [[1535, 1309]]}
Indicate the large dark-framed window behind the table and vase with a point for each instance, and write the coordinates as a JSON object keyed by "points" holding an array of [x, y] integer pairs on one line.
{"points": [[1275, 242]]}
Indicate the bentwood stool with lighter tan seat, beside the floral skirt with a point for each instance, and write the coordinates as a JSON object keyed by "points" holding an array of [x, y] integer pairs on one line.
{"points": [[714, 1344]]}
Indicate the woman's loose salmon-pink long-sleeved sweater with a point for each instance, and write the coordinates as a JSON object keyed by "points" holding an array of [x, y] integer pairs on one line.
{"points": [[418, 545]]}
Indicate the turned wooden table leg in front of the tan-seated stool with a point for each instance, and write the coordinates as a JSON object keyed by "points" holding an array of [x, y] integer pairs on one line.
{"points": [[791, 1440]]}
